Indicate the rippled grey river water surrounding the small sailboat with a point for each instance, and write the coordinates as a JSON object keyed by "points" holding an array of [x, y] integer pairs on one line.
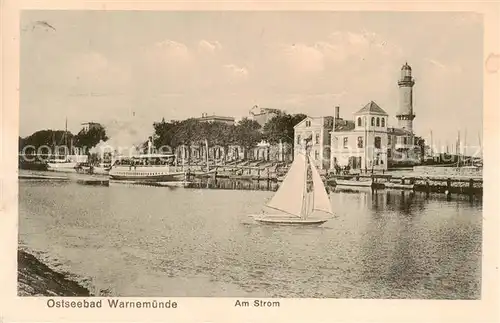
{"points": [[154, 241]]}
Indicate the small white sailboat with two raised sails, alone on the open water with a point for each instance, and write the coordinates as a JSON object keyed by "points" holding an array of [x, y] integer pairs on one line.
{"points": [[298, 203]]}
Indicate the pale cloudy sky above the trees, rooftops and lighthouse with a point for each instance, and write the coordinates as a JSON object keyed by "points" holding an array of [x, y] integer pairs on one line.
{"points": [[127, 69]]}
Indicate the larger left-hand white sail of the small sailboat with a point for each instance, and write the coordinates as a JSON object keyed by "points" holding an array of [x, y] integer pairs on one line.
{"points": [[290, 196]]}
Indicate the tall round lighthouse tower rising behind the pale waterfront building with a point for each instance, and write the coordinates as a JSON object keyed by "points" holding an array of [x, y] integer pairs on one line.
{"points": [[405, 114]]}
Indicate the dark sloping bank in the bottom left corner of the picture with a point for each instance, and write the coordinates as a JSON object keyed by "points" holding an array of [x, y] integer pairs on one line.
{"points": [[34, 278]]}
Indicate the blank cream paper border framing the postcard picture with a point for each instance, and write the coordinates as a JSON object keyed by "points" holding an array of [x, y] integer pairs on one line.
{"points": [[34, 309]]}
